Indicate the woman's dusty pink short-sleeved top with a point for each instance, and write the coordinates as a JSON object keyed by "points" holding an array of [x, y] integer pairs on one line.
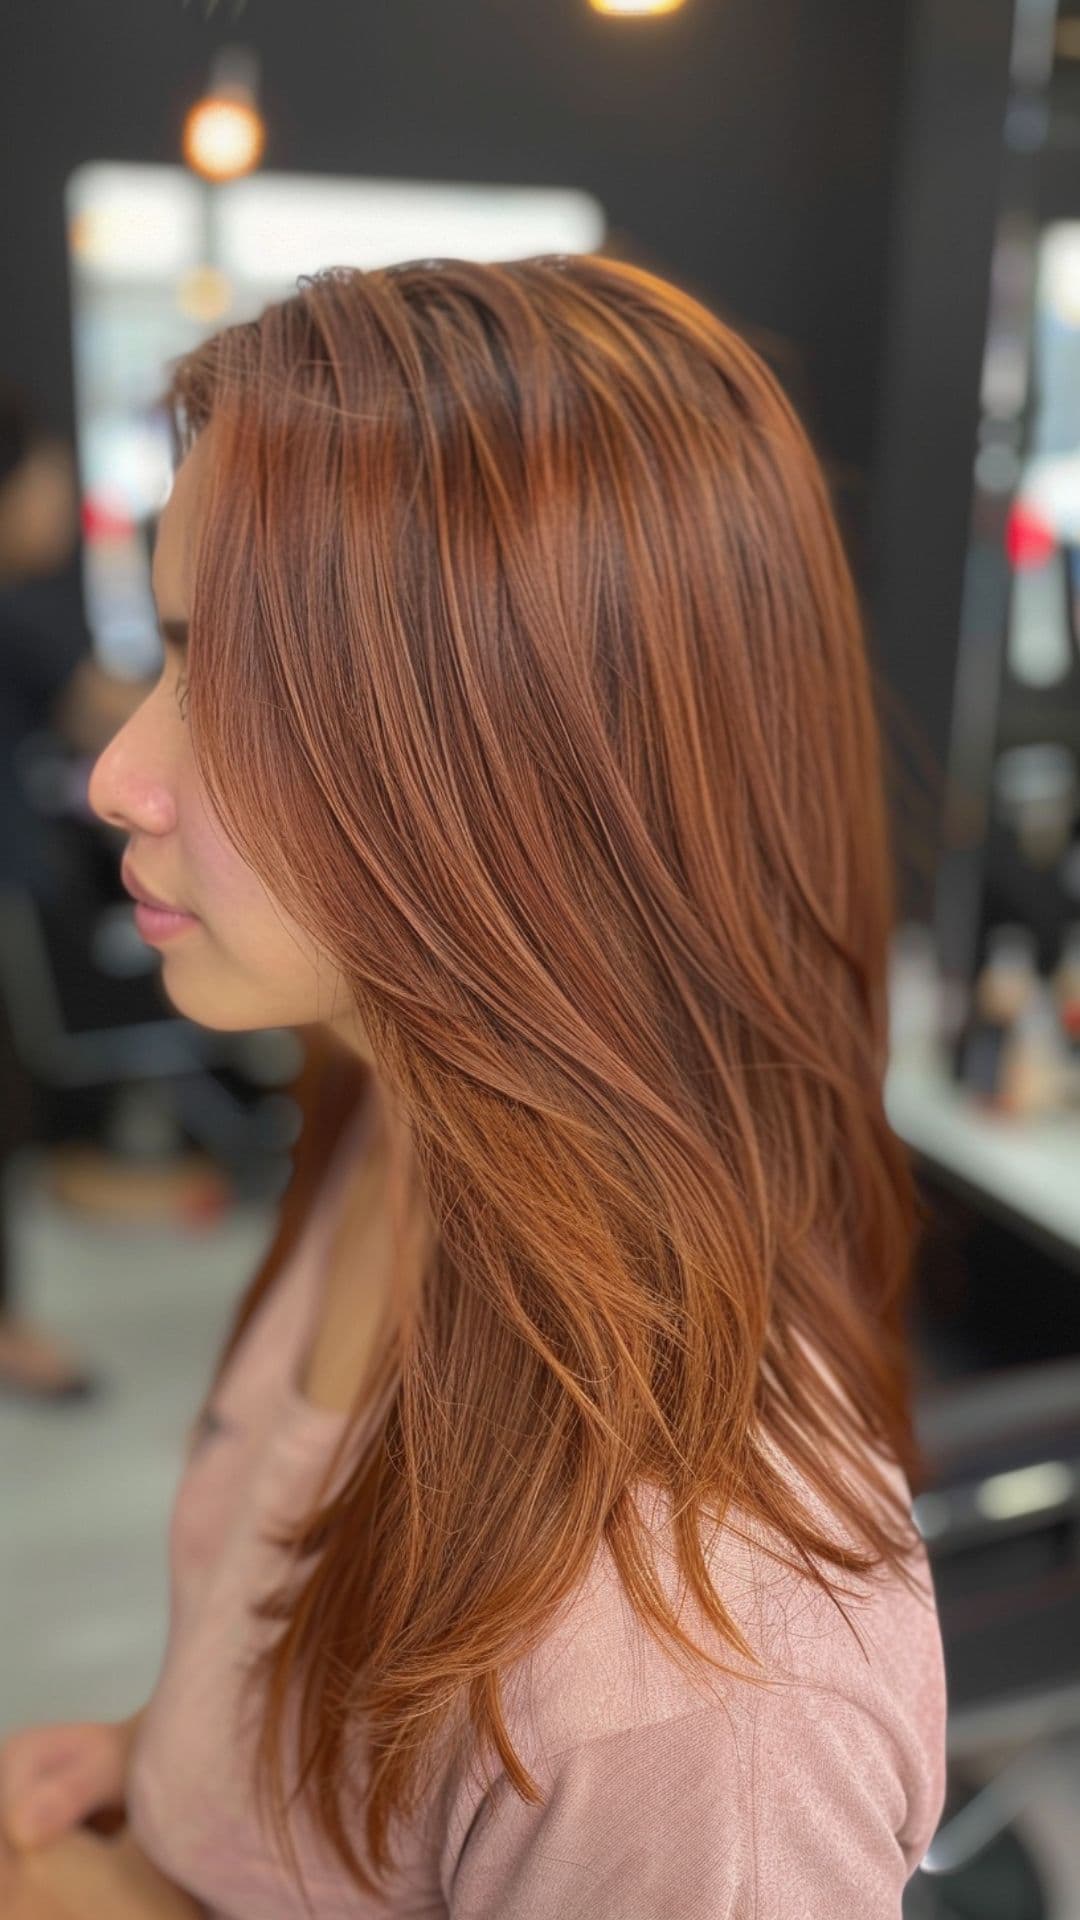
{"points": [[812, 1800]]}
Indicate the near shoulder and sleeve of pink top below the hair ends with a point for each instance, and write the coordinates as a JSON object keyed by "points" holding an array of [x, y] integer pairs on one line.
{"points": [[735, 1796]]}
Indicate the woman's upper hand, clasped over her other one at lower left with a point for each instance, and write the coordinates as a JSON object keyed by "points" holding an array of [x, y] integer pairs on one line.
{"points": [[57, 1777]]}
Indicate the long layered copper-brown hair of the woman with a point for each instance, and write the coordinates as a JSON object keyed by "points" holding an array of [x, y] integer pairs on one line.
{"points": [[528, 671]]}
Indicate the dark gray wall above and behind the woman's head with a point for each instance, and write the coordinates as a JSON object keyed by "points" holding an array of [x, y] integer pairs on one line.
{"points": [[741, 145]]}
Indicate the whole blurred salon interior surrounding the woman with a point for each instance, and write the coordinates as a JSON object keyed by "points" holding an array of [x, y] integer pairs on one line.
{"points": [[885, 197]]}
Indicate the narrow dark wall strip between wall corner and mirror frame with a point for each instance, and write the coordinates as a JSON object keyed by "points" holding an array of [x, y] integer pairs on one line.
{"points": [[943, 229]]}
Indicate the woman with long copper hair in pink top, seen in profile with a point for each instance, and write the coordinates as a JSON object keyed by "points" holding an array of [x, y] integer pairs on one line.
{"points": [[547, 1541]]}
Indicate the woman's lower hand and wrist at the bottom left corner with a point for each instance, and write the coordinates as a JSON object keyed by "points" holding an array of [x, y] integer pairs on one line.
{"points": [[84, 1877]]}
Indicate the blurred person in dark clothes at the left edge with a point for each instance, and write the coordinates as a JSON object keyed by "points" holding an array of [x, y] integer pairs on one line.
{"points": [[41, 642]]}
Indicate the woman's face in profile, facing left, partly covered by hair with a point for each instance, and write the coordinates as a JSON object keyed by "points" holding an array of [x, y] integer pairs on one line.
{"points": [[241, 963]]}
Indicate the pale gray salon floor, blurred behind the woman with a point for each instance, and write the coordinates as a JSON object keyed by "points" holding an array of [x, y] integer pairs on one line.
{"points": [[86, 1489]]}
